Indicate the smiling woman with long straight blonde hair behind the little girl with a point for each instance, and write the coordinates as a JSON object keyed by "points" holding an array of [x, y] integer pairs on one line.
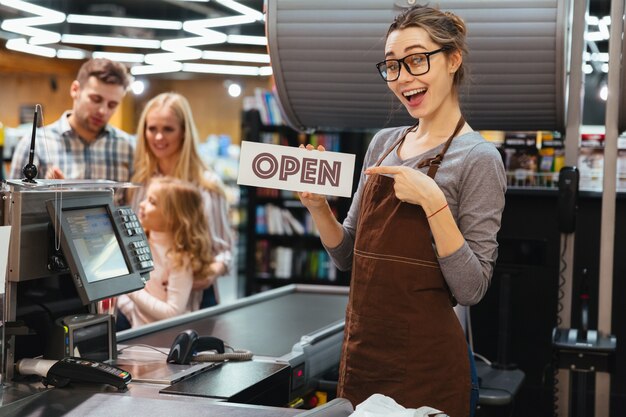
{"points": [[167, 144]]}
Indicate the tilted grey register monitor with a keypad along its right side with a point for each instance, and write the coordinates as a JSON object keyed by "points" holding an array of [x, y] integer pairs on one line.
{"points": [[99, 247]]}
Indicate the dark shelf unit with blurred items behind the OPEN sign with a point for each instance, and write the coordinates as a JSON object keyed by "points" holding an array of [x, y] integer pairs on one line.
{"points": [[282, 245]]}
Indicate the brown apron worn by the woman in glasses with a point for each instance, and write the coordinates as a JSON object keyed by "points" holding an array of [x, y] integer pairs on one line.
{"points": [[402, 337]]}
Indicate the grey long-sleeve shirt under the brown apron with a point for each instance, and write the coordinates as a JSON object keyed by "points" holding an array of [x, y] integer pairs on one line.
{"points": [[473, 180]]}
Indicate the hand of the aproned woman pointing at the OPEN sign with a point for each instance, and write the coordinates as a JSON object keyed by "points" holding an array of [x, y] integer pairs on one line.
{"points": [[412, 186]]}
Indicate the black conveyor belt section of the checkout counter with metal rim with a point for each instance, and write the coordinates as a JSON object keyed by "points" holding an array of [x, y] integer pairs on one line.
{"points": [[295, 333]]}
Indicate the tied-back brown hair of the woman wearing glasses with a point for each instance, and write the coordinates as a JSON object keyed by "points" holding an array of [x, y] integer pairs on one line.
{"points": [[445, 29]]}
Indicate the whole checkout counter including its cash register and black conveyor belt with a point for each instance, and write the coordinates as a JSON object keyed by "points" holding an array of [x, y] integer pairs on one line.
{"points": [[71, 247]]}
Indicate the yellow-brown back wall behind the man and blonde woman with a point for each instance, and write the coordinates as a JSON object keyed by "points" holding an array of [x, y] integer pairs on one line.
{"points": [[28, 79]]}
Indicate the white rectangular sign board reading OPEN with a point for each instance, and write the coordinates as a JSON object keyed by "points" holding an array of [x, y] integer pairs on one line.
{"points": [[296, 169]]}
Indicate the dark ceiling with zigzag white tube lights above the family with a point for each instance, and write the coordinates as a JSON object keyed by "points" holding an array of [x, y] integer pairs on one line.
{"points": [[217, 36]]}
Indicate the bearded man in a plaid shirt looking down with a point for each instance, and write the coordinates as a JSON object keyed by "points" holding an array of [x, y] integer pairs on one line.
{"points": [[81, 144]]}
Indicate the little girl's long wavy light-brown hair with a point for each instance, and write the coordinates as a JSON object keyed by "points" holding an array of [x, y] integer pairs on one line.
{"points": [[182, 204]]}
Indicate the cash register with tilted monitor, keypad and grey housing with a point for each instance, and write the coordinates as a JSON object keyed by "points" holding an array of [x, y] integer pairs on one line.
{"points": [[70, 247]]}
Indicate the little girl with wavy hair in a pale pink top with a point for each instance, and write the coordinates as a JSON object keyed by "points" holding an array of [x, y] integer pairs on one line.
{"points": [[173, 218]]}
